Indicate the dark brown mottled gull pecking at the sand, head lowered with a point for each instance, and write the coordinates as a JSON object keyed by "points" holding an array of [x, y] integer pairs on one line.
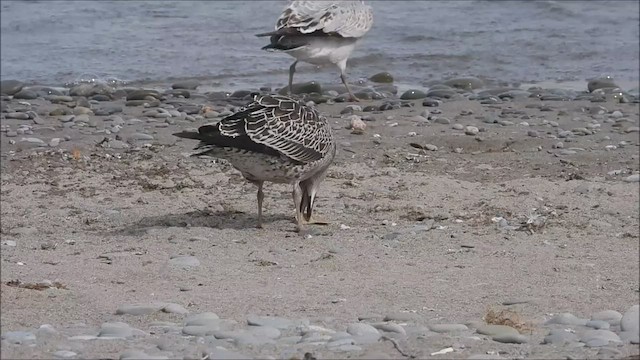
{"points": [[274, 138]]}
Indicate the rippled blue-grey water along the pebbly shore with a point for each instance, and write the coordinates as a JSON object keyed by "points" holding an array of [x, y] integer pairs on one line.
{"points": [[510, 41]]}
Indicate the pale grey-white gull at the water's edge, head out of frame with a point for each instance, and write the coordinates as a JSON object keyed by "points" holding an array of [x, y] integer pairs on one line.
{"points": [[320, 32]]}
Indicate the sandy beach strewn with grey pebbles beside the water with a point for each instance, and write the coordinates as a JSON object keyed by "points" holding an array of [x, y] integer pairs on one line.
{"points": [[467, 221]]}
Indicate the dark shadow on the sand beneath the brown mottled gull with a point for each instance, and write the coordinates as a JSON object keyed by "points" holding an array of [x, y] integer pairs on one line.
{"points": [[202, 218]]}
